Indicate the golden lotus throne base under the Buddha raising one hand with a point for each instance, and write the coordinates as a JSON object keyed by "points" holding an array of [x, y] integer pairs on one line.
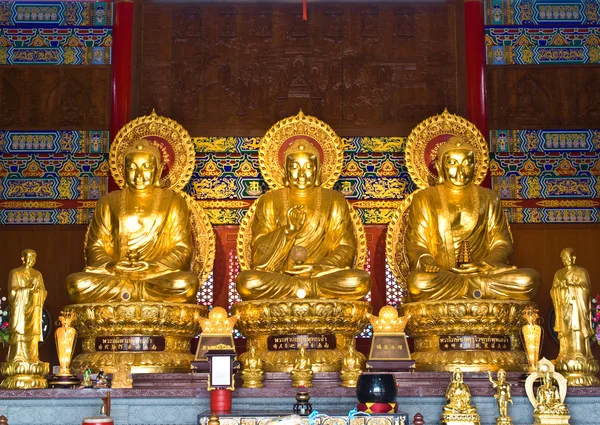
{"points": [[260, 319]]}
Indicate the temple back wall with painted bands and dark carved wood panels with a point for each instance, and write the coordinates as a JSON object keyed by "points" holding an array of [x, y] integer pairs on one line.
{"points": [[228, 72]]}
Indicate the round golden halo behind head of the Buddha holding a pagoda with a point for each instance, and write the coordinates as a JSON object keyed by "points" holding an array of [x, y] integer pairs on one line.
{"points": [[427, 138]]}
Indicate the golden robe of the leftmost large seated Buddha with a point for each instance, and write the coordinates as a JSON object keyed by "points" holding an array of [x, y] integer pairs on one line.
{"points": [[164, 239]]}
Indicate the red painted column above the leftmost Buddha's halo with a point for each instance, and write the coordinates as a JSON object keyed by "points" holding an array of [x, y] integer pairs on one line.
{"points": [[122, 51]]}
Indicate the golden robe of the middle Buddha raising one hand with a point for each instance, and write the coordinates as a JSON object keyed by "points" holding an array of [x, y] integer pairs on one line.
{"points": [[327, 236]]}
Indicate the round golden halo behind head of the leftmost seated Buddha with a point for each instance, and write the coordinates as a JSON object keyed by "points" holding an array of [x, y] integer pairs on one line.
{"points": [[177, 153]]}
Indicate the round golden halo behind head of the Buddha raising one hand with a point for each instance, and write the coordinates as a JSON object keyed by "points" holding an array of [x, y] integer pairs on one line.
{"points": [[284, 137]]}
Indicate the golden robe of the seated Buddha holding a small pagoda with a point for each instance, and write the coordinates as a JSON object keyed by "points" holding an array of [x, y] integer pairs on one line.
{"points": [[429, 234]]}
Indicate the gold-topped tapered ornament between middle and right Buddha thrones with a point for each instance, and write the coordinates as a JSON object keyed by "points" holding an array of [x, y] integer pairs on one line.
{"points": [[389, 347]]}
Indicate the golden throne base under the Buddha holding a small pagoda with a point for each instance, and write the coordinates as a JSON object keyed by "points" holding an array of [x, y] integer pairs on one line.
{"points": [[484, 318]]}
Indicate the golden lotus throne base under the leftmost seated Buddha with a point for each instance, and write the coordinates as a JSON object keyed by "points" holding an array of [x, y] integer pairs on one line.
{"points": [[177, 323]]}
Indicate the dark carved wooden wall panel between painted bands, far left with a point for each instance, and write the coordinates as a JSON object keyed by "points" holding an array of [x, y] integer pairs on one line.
{"points": [[63, 98]]}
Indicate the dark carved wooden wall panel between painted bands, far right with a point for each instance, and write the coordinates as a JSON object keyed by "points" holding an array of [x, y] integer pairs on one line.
{"points": [[544, 97]]}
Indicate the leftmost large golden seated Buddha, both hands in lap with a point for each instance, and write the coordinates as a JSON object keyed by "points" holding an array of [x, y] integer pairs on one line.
{"points": [[139, 243]]}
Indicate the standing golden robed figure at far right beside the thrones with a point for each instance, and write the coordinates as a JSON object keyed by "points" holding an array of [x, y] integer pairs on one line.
{"points": [[570, 294]]}
